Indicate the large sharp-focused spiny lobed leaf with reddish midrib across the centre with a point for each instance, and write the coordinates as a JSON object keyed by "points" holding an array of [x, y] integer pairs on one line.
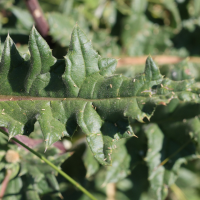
{"points": [[79, 91]]}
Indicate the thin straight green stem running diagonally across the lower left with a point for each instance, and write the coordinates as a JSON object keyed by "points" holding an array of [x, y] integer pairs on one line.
{"points": [[54, 167]]}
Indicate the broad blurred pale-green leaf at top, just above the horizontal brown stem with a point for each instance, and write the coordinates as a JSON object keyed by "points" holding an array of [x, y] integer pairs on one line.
{"points": [[142, 37]]}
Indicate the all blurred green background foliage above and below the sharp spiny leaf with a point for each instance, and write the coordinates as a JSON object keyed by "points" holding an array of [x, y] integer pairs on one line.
{"points": [[117, 28]]}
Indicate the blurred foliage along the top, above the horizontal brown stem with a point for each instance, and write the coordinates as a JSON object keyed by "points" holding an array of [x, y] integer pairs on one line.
{"points": [[116, 27]]}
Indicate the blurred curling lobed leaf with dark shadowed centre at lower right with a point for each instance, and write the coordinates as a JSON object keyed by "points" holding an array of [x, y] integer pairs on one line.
{"points": [[173, 144]]}
